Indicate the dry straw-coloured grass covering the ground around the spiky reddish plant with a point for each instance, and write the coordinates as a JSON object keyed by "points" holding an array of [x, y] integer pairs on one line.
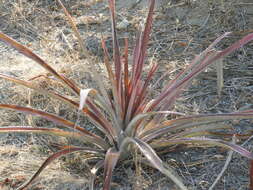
{"points": [[181, 30]]}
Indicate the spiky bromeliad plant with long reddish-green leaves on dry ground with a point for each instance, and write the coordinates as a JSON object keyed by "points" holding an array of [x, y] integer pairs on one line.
{"points": [[132, 118]]}
